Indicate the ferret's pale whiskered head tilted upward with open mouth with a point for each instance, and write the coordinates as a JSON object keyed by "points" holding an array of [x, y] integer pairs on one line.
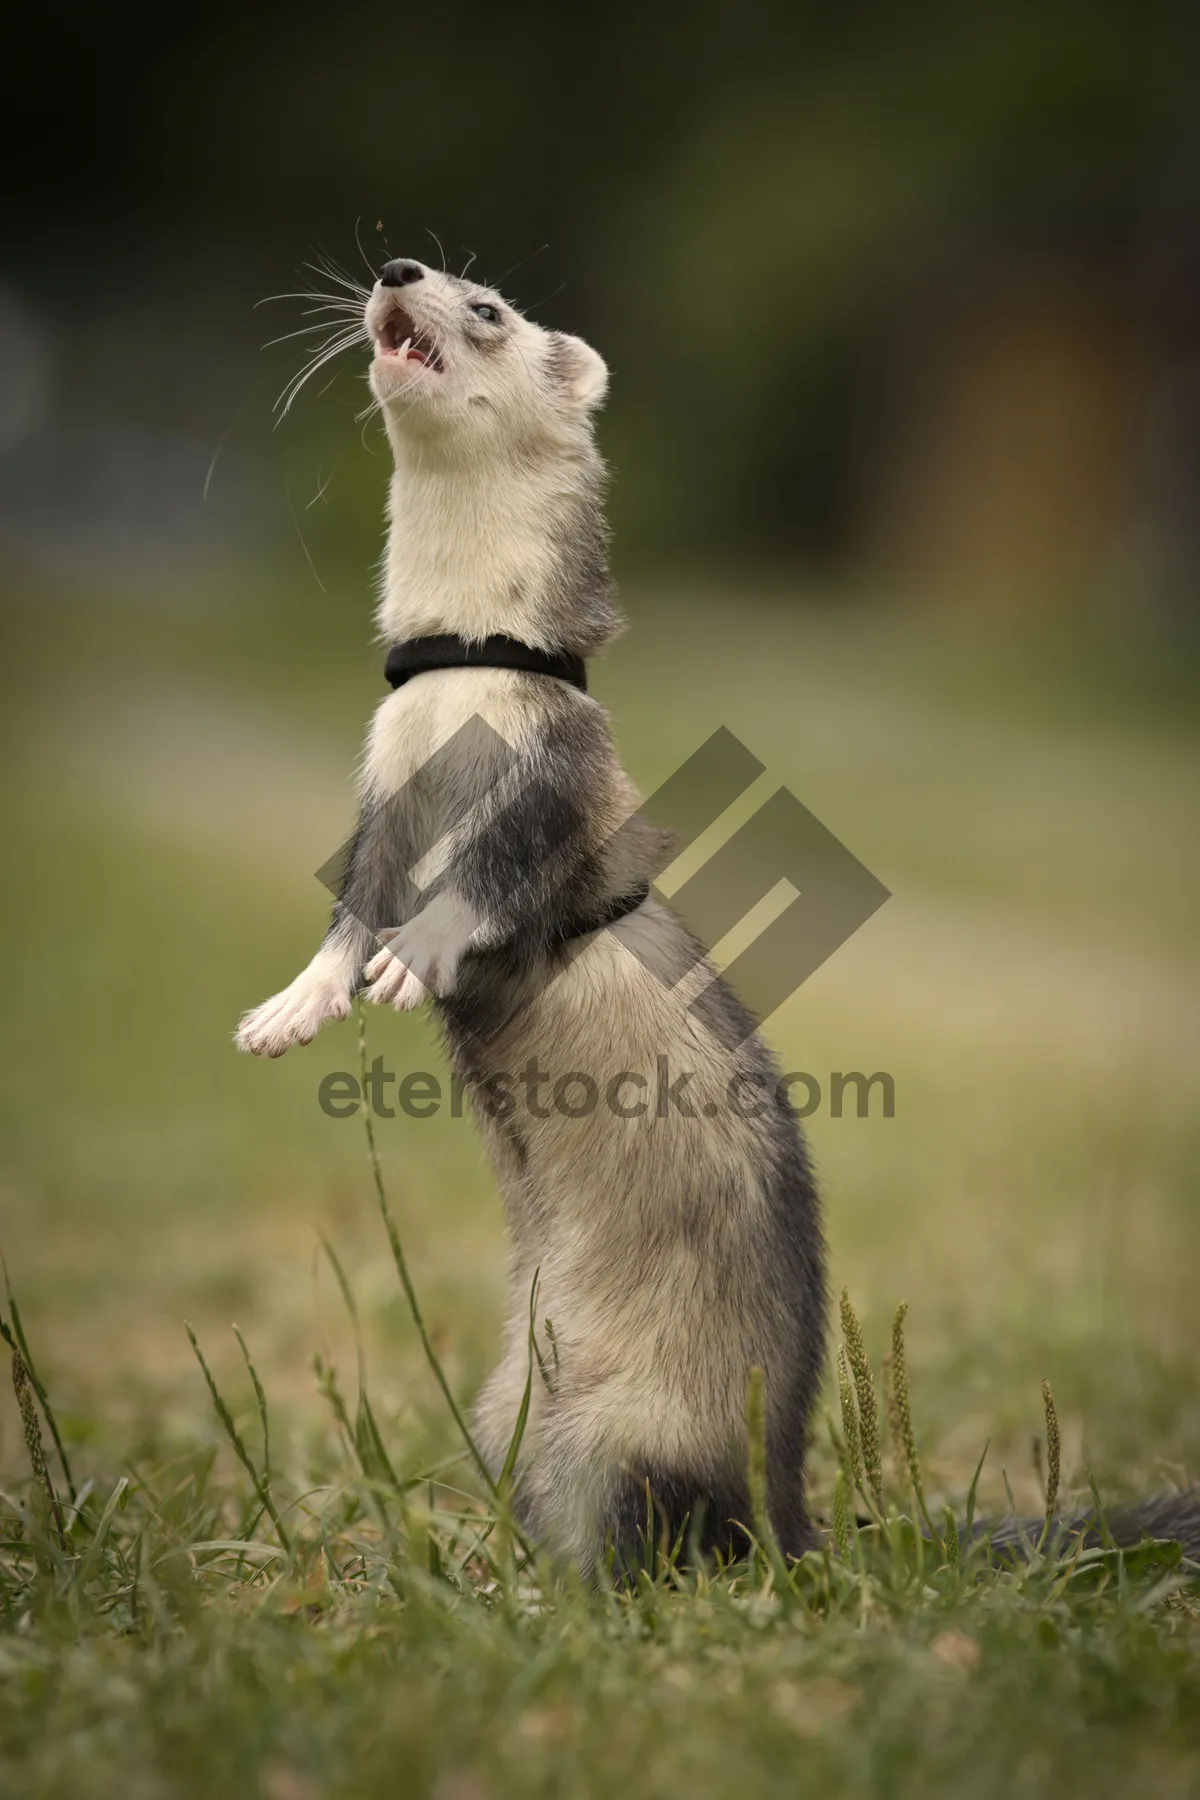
{"points": [[456, 361]]}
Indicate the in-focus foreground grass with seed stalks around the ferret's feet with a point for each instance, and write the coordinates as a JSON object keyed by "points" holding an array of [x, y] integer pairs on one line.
{"points": [[175, 1635]]}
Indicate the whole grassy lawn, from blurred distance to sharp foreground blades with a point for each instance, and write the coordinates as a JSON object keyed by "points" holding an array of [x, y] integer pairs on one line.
{"points": [[1034, 991]]}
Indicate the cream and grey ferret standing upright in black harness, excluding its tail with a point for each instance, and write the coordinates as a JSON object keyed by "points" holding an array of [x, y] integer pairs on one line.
{"points": [[503, 872]]}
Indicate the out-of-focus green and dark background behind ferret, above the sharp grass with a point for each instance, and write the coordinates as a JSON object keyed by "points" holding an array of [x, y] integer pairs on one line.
{"points": [[904, 319]]}
